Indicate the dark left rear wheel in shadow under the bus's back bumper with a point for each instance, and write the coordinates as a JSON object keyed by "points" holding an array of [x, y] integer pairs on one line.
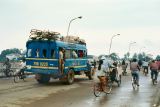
{"points": [[42, 78]]}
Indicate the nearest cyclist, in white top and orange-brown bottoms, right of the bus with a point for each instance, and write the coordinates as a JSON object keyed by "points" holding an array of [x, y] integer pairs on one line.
{"points": [[102, 74]]}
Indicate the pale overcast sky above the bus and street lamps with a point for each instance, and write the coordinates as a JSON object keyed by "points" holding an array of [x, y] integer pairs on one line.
{"points": [[135, 20]]}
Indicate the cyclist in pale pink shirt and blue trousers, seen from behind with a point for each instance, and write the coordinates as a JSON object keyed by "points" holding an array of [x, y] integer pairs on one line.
{"points": [[135, 70]]}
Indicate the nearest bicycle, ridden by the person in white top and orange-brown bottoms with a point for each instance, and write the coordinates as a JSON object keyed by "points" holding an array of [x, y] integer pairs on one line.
{"points": [[98, 86]]}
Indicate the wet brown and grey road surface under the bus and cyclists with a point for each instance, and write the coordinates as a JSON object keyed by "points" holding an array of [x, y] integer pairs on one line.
{"points": [[80, 94]]}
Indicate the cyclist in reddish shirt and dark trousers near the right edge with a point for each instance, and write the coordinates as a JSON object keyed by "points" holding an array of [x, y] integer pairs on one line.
{"points": [[154, 70]]}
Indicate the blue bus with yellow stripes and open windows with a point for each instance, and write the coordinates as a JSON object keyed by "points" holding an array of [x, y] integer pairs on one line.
{"points": [[43, 59]]}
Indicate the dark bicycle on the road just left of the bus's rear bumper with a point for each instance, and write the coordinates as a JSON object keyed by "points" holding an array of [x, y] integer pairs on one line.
{"points": [[20, 75]]}
